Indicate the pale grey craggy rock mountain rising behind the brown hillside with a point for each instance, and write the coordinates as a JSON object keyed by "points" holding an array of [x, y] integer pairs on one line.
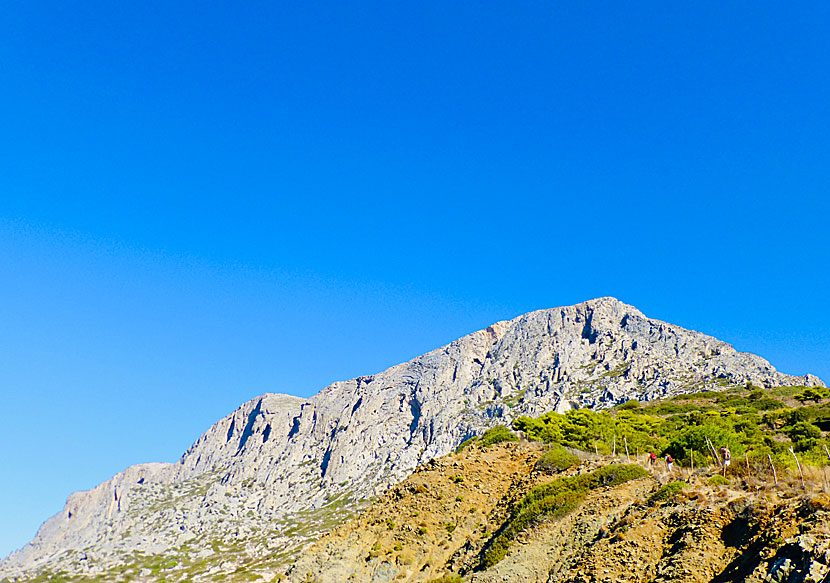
{"points": [[270, 465]]}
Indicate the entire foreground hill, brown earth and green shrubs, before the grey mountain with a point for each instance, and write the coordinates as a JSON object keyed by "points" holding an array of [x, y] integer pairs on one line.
{"points": [[534, 511]]}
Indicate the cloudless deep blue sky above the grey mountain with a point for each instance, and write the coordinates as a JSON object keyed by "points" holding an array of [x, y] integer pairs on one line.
{"points": [[202, 202]]}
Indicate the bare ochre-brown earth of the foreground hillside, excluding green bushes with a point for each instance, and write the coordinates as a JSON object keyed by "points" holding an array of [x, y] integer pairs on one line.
{"points": [[442, 523]]}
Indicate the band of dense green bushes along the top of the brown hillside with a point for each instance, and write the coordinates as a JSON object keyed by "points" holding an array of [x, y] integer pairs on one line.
{"points": [[756, 425]]}
